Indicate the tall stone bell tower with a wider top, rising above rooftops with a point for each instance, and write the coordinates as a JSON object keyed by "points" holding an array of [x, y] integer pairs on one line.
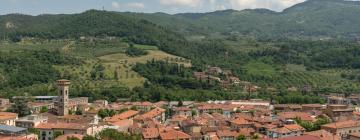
{"points": [[63, 97]]}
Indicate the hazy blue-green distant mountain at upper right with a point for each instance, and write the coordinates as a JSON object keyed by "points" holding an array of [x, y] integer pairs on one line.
{"points": [[313, 18]]}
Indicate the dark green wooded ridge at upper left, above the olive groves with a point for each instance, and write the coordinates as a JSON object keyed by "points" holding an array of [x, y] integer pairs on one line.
{"points": [[89, 23]]}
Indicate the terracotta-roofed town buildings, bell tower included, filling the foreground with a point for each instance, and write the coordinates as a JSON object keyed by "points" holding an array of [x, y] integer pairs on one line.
{"points": [[181, 120]]}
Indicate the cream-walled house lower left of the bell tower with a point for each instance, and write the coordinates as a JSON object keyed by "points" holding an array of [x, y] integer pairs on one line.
{"points": [[31, 121]]}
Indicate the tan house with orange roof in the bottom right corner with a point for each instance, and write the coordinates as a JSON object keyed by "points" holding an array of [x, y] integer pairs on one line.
{"points": [[343, 128]]}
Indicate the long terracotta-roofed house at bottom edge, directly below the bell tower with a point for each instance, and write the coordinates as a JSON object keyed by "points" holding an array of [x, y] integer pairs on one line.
{"points": [[47, 130]]}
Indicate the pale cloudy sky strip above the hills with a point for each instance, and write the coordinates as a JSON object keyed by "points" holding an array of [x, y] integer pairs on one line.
{"points": [[36, 7]]}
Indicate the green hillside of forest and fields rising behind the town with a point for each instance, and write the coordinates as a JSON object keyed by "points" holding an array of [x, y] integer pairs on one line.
{"points": [[111, 55]]}
